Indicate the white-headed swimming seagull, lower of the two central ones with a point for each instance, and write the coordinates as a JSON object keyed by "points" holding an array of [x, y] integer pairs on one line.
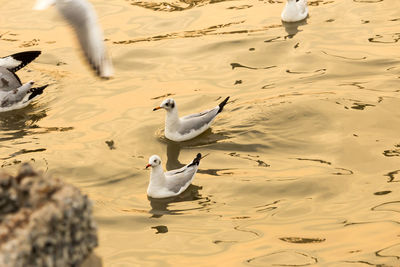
{"points": [[172, 183]]}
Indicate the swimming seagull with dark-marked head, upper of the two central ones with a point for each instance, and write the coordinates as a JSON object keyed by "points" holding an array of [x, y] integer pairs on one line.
{"points": [[188, 127]]}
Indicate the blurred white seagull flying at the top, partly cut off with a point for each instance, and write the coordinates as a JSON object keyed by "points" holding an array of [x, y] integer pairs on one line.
{"points": [[82, 17]]}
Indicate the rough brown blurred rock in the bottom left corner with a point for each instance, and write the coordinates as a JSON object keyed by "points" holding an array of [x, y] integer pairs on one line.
{"points": [[43, 221]]}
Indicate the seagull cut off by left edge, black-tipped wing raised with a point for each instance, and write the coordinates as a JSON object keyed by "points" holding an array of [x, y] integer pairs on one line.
{"points": [[14, 94]]}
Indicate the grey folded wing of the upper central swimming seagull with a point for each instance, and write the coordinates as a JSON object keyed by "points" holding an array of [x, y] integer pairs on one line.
{"points": [[197, 120]]}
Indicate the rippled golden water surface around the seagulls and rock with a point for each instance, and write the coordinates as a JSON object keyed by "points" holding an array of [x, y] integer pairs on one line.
{"points": [[304, 164]]}
